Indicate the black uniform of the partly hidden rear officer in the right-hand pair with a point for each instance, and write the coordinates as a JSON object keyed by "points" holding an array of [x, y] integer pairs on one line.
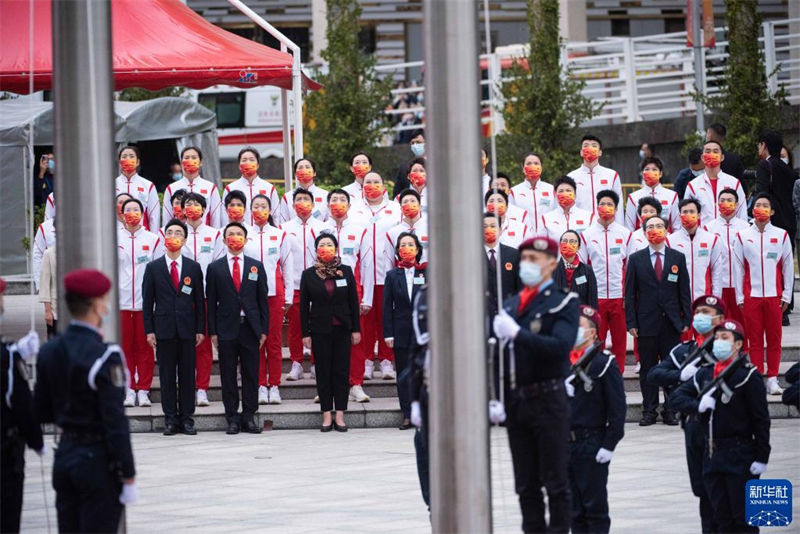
{"points": [[667, 375]]}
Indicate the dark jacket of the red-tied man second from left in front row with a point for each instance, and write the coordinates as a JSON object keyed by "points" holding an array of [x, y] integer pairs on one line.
{"points": [[225, 304]]}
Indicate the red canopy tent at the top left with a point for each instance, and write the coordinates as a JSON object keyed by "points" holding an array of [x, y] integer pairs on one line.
{"points": [[156, 44]]}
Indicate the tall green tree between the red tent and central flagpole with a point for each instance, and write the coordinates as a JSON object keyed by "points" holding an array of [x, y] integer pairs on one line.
{"points": [[346, 115]]}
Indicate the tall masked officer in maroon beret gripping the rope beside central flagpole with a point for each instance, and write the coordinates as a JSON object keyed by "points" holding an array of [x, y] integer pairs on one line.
{"points": [[539, 325]]}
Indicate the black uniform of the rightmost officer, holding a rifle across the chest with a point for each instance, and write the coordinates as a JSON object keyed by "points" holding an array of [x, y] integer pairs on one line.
{"points": [[736, 435]]}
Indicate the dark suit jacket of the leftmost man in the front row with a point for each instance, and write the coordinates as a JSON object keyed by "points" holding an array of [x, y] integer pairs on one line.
{"points": [[171, 314]]}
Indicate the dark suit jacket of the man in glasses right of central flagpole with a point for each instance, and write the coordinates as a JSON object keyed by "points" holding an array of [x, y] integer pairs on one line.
{"points": [[648, 302]]}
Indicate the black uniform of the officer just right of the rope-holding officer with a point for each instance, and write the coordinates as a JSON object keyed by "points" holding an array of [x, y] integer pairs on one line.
{"points": [[598, 421]]}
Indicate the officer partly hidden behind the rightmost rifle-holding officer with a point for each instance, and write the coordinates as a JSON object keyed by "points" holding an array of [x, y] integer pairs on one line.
{"points": [[708, 311]]}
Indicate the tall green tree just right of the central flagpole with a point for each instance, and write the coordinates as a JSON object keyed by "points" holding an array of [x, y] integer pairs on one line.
{"points": [[544, 105]]}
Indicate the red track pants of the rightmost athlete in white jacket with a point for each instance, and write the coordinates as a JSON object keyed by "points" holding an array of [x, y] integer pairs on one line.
{"points": [[763, 320]]}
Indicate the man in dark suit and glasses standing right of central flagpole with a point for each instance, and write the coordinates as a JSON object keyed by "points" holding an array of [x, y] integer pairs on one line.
{"points": [[657, 309]]}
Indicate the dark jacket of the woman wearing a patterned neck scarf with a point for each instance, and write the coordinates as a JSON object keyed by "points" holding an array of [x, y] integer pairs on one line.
{"points": [[317, 309]]}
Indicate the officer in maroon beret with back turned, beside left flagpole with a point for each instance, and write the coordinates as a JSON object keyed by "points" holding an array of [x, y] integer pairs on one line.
{"points": [[80, 387]]}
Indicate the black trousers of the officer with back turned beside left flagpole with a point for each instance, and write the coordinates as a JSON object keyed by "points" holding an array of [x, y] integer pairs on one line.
{"points": [[87, 492]]}
